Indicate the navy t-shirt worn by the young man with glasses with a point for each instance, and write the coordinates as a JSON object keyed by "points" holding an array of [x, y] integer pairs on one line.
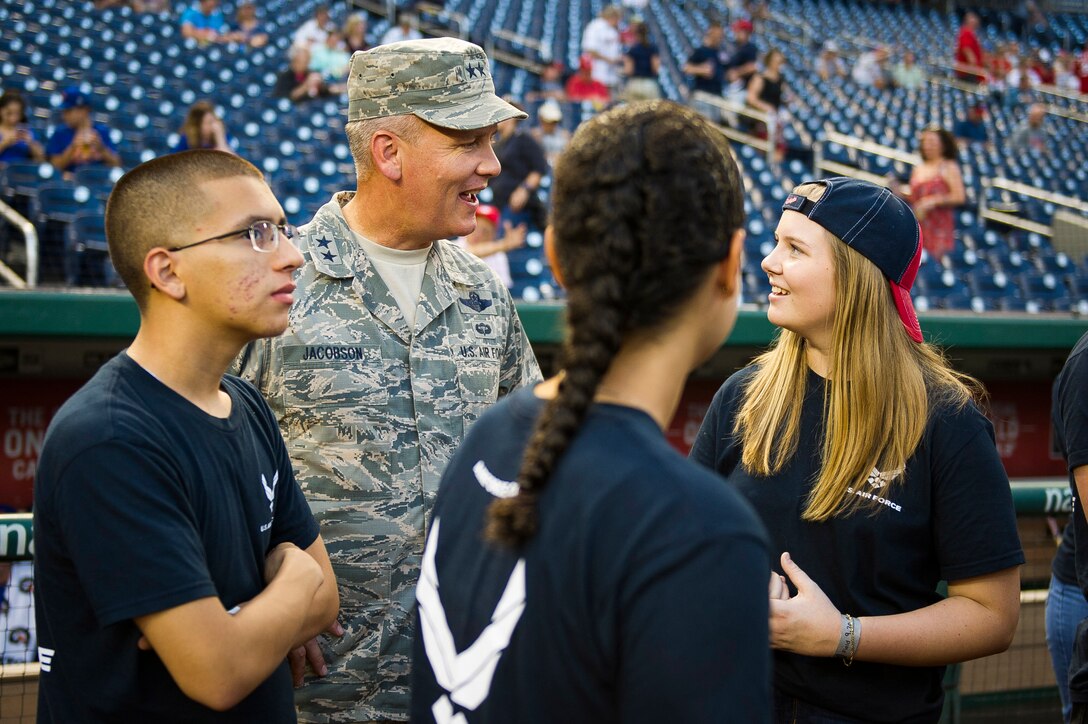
{"points": [[144, 502]]}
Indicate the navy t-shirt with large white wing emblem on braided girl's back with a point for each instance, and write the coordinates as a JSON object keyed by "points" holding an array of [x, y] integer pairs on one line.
{"points": [[641, 598]]}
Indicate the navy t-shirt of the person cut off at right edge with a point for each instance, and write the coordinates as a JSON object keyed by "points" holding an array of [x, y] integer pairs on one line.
{"points": [[1070, 420]]}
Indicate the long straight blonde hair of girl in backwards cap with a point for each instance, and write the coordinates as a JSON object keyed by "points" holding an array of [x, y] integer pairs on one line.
{"points": [[882, 387]]}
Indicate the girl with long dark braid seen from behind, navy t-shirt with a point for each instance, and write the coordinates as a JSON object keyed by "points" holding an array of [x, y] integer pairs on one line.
{"points": [[578, 569]]}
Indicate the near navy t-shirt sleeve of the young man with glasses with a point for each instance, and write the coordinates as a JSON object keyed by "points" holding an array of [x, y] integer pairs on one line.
{"points": [[130, 532]]}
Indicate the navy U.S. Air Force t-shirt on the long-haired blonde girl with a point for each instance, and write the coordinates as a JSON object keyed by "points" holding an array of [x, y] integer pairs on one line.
{"points": [[948, 518]]}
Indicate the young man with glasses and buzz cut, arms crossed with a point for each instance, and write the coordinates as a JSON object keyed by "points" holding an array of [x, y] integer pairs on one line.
{"points": [[177, 561]]}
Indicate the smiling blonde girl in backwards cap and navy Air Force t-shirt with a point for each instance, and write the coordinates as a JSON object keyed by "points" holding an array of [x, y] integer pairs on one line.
{"points": [[872, 468]]}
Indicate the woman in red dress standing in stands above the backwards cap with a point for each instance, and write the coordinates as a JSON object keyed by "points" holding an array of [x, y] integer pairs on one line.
{"points": [[936, 190]]}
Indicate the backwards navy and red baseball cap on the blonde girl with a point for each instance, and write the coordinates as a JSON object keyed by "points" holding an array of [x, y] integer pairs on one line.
{"points": [[877, 225]]}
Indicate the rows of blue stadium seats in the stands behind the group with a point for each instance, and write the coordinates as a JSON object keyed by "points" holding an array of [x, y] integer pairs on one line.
{"points": [[143, 77]]}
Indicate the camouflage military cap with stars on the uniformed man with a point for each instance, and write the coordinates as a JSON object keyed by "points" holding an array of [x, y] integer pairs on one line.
{"points": [[443, 81]]}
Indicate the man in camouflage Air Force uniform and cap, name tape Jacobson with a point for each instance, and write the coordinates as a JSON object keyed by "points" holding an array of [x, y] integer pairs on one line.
{"points": [[398, 342]]}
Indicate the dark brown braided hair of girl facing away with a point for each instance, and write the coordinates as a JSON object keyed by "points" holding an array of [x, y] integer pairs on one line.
{"points": [[647, 199]]}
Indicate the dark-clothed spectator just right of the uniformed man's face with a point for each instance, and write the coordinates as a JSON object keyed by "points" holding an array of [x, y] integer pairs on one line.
{"points": [[514, 191]]}
